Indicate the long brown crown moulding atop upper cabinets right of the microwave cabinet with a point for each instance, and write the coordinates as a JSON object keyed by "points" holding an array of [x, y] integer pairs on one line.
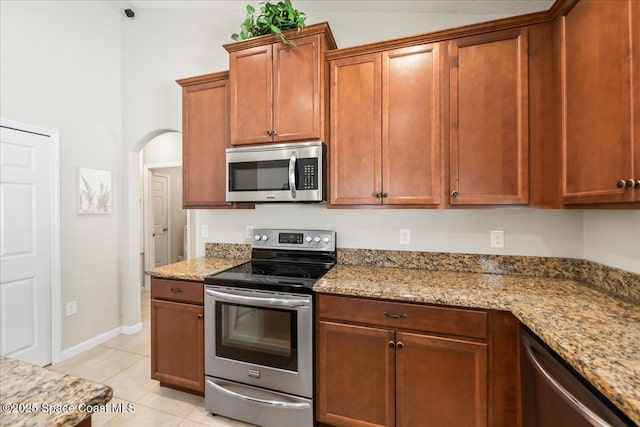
{"points": [[559, 7]]}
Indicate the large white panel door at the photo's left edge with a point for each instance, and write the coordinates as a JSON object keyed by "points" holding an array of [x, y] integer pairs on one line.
{"points": [[26, 194]]}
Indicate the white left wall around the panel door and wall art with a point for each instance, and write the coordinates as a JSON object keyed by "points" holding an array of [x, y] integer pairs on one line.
{"points": [[60, 69]]}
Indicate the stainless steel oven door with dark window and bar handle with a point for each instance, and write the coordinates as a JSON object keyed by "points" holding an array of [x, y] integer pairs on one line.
{"points": [[259, 338]]}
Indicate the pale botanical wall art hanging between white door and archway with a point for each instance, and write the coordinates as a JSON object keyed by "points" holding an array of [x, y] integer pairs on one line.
{"points": [[94, 191]]}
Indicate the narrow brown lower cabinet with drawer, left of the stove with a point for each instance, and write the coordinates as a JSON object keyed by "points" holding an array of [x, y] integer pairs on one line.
{"points": [[177, 334]]}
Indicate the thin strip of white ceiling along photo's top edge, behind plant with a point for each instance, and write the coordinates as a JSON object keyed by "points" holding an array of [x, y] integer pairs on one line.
{"points": [[493, 7]]}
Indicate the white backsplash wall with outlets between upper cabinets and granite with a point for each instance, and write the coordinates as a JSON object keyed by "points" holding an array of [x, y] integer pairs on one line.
{"points": [[527, 231]]}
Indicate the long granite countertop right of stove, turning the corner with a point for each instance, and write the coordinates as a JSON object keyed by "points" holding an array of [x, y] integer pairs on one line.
{"points": [[596, 333]]}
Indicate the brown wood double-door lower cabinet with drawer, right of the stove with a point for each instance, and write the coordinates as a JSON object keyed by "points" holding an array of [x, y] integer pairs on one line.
{"points": [[377, 369]]}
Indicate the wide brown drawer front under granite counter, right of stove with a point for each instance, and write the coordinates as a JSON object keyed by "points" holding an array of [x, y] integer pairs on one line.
{"points": [[424, 318]]}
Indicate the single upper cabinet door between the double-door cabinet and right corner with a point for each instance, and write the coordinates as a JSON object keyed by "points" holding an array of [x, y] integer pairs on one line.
{"points": [[489, 162]]}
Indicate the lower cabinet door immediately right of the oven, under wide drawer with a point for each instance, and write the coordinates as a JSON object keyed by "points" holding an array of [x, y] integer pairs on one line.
{"points": [[355, 376]]}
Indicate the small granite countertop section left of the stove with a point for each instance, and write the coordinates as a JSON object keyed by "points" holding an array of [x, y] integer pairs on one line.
{"points": [[195, 269]]}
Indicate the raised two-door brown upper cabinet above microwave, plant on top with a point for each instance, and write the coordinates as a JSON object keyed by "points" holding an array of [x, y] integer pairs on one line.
{"points": [[278, 90]]}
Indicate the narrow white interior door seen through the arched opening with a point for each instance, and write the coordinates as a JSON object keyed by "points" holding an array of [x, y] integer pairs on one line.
{"points": [[160, 212]]}
